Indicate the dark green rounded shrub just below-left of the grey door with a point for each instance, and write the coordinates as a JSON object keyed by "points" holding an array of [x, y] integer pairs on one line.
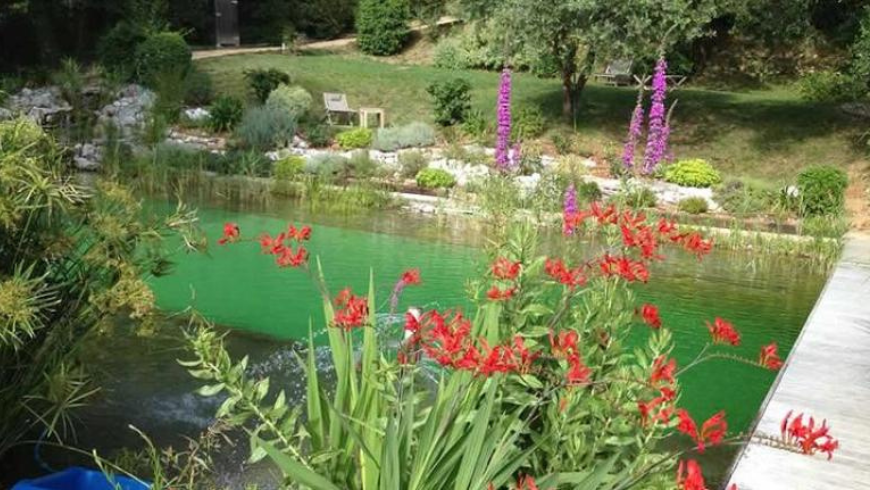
{"points": [[161, 53]]}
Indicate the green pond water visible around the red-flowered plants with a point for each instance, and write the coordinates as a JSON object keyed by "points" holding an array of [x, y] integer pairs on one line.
{"points": [[768, 299]]}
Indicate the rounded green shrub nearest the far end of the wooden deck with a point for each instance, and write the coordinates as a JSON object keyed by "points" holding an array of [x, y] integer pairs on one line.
{"points": [[822, 190]]}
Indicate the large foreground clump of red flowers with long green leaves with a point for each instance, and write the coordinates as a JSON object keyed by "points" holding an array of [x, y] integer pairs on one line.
{"points": [[542, 361]]}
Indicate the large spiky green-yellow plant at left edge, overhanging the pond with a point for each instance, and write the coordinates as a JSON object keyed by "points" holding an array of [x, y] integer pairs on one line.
{"points": [[70, 259]]}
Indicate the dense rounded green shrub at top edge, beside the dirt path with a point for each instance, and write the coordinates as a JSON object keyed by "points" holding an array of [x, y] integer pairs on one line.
{"points": [[382, 26]]}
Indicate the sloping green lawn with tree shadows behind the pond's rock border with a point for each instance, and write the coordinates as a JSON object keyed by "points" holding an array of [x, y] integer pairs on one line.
{"points": [[767, 135]]}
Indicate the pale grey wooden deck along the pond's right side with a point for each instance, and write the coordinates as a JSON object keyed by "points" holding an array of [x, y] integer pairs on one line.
{"points": [[827, 375]]}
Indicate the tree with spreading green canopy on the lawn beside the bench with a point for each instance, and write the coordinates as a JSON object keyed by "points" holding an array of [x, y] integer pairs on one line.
{"points": [[571, 35]]}
